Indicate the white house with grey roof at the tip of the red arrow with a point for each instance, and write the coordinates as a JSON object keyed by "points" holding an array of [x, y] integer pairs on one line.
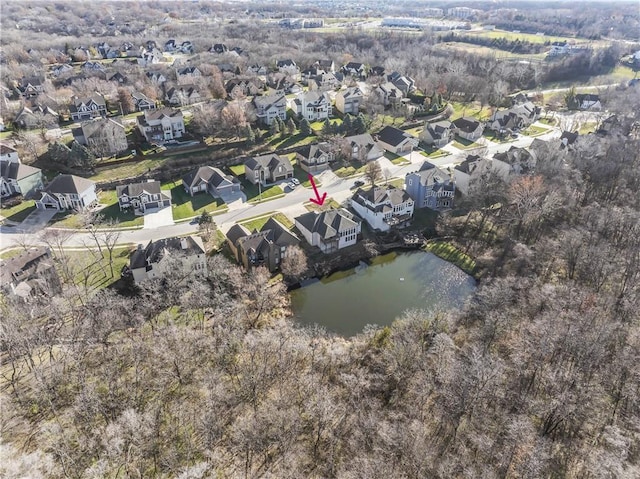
{"points": [[329, 230]]}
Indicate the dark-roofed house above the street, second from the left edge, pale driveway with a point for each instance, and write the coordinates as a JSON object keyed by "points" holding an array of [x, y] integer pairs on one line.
{"points": [[67, 192]]}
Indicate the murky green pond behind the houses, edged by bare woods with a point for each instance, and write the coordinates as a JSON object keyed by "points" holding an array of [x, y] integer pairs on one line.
{"points": [[347, 301]]}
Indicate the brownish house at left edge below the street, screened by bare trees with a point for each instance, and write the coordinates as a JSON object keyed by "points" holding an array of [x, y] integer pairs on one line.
{"points": [[30, 273]]}
